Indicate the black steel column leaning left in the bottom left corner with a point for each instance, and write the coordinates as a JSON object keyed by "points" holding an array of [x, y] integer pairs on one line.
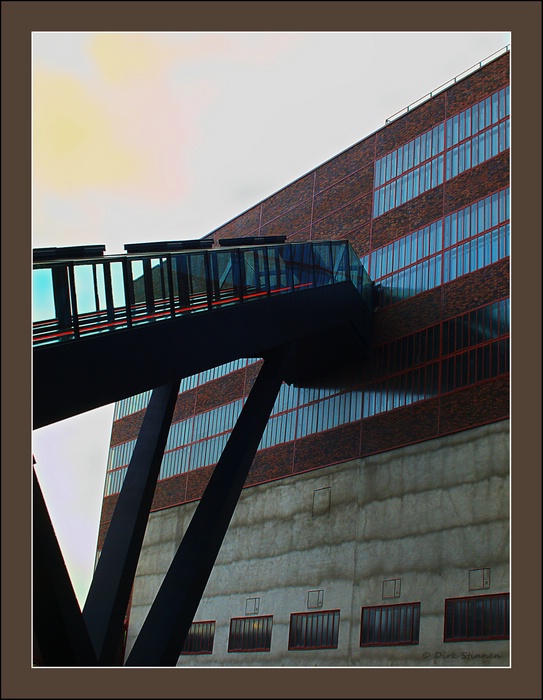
{"points": [[59, 627]]}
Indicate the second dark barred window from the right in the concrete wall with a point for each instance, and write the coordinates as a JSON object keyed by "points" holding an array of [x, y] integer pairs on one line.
{"points": [[384, 625]]}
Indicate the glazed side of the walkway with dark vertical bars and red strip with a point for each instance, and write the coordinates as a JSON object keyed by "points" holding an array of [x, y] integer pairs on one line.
{"points": [[76, 298]]}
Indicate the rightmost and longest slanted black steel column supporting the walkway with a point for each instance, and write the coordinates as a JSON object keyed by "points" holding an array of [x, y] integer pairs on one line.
{"points": [[161, 638]]}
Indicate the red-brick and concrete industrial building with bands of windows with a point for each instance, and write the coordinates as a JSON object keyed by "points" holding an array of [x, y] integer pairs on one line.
{"points": [[424, 202]]}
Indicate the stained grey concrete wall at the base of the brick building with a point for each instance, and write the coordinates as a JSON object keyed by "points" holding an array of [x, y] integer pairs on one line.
{"points": [[425, 514]]}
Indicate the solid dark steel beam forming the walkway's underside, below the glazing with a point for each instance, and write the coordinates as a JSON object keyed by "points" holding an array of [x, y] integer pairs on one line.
{"points": [[74, 377]]}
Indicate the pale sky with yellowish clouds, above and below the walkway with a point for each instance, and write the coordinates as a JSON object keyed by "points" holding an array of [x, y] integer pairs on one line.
{"points": [[166, 136]]}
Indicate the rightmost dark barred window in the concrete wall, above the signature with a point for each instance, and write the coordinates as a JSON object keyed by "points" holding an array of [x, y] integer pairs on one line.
{"points": [[477, 618]]}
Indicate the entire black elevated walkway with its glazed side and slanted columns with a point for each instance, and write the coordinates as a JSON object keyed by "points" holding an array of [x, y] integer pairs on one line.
{"points": [[309, 302]]}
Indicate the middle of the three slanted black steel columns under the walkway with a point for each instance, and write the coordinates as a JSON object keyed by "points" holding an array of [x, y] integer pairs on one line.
{"points": [[109, 593]]}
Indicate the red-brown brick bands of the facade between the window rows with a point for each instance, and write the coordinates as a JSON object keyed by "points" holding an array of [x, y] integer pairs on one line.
{"points": [[335, 201]]}
